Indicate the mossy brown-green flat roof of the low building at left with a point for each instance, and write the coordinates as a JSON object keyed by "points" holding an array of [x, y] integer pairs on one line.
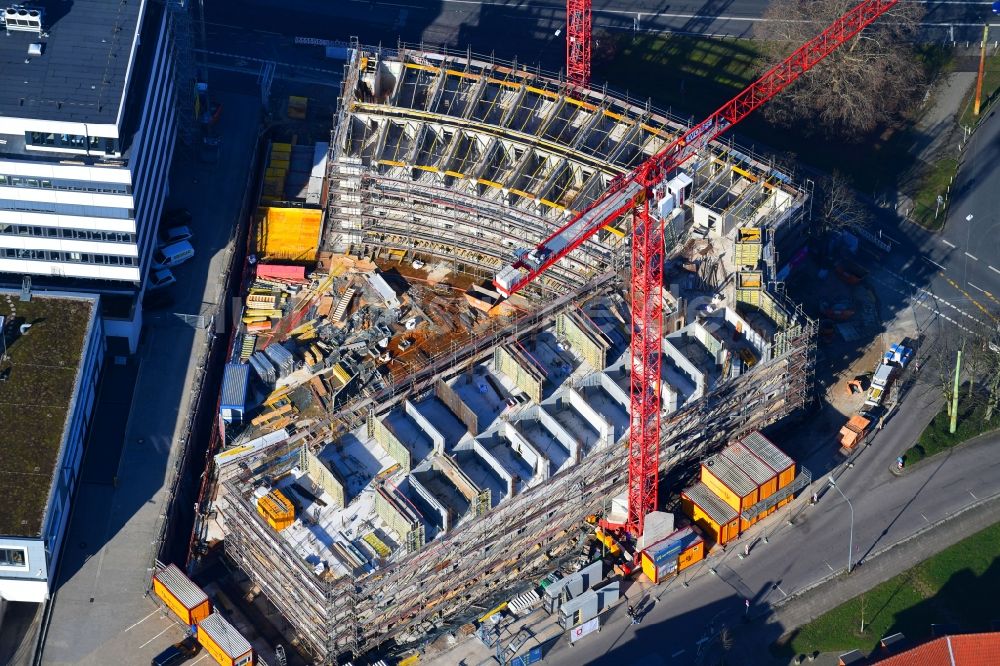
{"points": [[35, 400]]}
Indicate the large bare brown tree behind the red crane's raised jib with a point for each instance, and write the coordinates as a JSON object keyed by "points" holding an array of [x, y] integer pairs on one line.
{"points": [[864, 84]]}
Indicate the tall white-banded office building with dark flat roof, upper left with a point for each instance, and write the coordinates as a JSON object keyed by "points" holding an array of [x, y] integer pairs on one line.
{"points": [[87, 130]]}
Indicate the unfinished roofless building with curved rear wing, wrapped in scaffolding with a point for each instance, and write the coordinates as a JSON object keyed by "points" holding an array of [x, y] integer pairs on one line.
{"points": [[412, 509]]}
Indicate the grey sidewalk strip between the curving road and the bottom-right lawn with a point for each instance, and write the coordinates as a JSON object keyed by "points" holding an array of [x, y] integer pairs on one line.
{"points": [[809, 604]]}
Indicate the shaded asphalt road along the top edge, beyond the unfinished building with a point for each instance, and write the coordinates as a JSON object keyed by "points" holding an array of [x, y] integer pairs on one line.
{"points": [[526, 29]]}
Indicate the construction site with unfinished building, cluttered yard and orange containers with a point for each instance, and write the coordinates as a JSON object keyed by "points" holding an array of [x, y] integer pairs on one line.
{"points": [[407, 443]]}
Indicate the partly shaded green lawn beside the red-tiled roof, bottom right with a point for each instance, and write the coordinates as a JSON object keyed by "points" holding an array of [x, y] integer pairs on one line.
{"points": [[959, 585]]}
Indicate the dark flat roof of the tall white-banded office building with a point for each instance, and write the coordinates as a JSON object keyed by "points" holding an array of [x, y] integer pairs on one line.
{"points": [[81, 74]]}
